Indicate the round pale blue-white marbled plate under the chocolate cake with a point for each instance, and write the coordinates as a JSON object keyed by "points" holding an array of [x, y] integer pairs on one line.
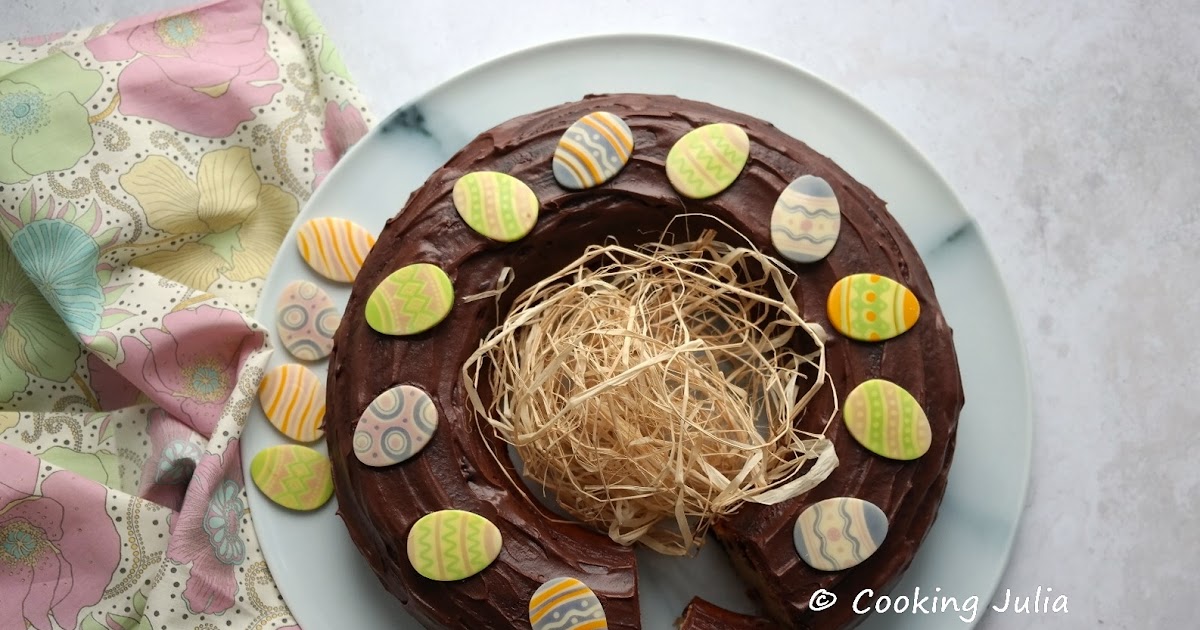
{"points": [[322, 575]]}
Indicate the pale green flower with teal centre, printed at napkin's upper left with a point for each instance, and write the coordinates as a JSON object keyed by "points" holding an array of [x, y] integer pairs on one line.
{"points": [[44, 123]]}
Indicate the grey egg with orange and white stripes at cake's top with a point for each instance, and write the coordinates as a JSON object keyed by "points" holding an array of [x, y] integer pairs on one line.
{"points": [[593, 151]]}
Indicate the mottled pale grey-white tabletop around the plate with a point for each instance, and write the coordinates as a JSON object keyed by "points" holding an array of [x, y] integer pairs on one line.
{"points": [[1070, 130]]}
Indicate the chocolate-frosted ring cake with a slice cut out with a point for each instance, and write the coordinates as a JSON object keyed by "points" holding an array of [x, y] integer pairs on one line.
{"points": [[903, 476]]}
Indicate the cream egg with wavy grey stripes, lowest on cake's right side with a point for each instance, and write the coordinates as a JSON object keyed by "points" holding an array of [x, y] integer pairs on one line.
{"points": [[839, 533]]}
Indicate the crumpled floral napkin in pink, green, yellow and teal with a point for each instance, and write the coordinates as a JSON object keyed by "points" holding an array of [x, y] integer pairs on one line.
{"points": [[149, 172]]}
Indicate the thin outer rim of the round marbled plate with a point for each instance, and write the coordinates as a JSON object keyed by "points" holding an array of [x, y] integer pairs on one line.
{"points": [[785, 68]]}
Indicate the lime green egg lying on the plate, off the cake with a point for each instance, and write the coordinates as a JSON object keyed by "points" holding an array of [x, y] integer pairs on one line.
{"points": [[295, 477]]}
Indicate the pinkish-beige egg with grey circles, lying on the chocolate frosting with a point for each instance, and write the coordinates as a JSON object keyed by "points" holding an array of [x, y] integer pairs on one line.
{"points": [[395, 427]]}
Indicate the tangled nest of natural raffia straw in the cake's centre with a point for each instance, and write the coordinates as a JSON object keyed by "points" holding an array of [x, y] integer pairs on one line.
{"points": [[655, 389]]}
